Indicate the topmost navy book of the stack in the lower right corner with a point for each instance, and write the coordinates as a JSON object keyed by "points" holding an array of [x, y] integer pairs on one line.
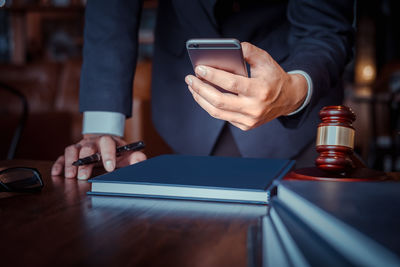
{"points": [[361, 220]]}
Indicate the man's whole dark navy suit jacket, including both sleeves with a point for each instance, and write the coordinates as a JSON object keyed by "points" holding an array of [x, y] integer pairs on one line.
{"points": [[313, 36]]}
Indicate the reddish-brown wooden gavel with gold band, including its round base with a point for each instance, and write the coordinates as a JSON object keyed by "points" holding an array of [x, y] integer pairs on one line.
{"points": [[335, 145]]}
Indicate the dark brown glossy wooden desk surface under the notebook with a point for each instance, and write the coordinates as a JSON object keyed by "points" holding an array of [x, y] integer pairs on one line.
{"points": [[64, 226]]}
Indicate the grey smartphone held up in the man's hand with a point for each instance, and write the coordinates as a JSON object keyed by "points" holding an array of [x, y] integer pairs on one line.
{"points": [[222, 53]]}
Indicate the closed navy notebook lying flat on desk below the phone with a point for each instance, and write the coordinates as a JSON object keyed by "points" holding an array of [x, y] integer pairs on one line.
{"points": [[247, 180]]}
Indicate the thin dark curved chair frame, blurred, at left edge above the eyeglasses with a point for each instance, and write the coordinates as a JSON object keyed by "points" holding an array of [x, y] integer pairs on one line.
{"points": [[22, 120]]}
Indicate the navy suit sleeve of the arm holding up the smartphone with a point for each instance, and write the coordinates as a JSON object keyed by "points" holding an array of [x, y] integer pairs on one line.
{"points": [[321, 42]]}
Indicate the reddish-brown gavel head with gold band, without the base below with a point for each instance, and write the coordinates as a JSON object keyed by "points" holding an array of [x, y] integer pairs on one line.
{"points": [[335, 139]]}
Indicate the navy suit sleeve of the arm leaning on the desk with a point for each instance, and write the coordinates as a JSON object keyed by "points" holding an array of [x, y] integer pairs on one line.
{"points": [[109, 55]]}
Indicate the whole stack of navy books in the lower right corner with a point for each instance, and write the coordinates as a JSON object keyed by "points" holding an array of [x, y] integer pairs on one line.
{"points": [[314, 223]]}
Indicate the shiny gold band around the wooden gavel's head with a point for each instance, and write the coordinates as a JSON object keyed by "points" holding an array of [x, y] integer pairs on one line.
{"points": [[336, 136]]}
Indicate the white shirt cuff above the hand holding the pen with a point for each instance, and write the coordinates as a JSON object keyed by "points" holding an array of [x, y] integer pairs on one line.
{"points": [[103, 122]]}
